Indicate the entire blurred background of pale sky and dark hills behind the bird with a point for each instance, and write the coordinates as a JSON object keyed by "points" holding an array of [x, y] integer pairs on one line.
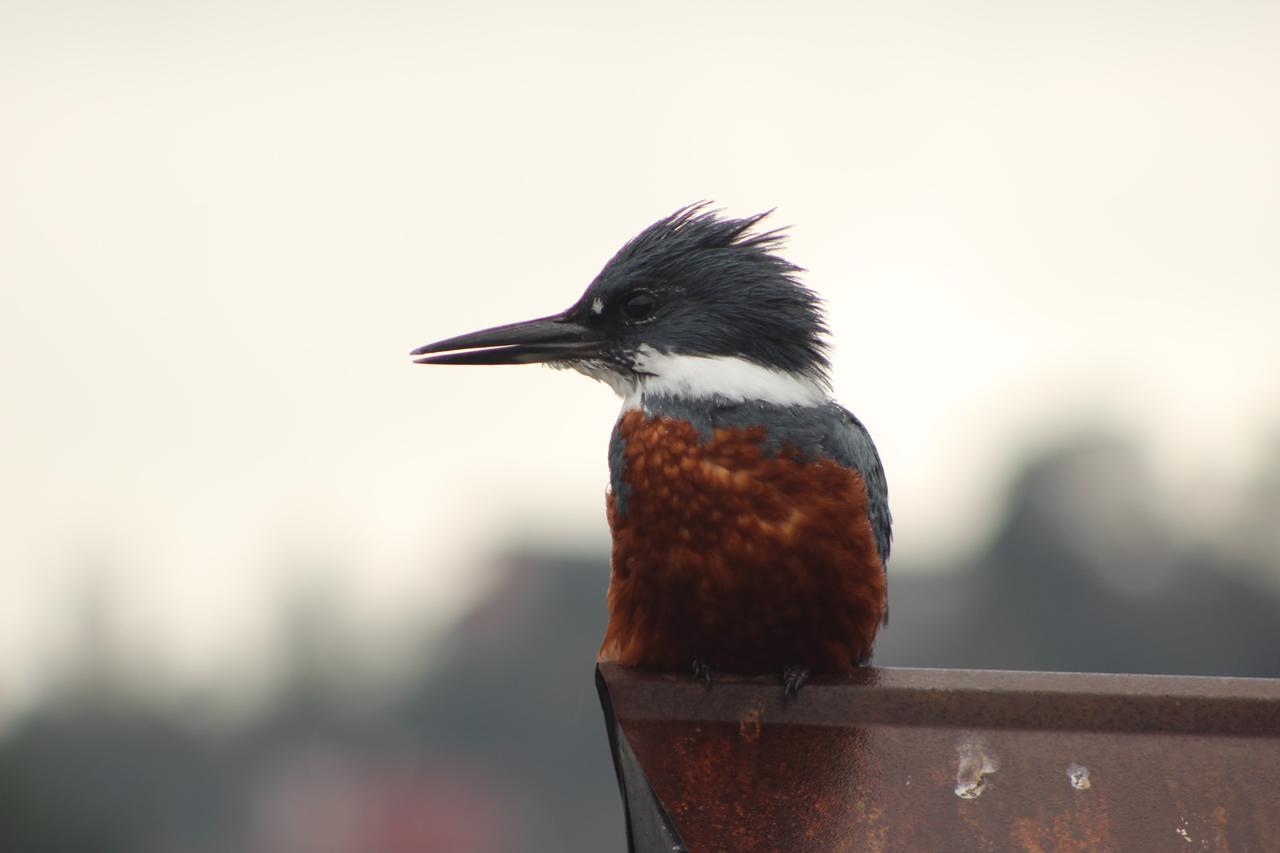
{"points": [[267, 587]]}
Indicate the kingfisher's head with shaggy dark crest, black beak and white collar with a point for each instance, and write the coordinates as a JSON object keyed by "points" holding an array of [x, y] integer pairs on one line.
{"points": [[694, 307]]}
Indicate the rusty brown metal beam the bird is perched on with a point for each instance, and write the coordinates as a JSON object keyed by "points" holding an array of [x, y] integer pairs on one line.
{"points": [[952, 760]]}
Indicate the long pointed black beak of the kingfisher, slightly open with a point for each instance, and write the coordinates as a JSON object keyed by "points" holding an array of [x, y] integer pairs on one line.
{"points": [[550, 339]]}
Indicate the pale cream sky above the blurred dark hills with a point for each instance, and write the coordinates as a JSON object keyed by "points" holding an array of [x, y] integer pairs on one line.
{"points": [[226, 225]]}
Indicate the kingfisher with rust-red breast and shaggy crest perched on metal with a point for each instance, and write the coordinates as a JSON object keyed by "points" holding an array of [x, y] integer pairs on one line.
{"points": [[749, 510]]}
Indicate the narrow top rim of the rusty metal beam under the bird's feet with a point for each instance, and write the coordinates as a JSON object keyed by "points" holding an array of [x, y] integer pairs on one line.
{"points": [[963, 700]]}
